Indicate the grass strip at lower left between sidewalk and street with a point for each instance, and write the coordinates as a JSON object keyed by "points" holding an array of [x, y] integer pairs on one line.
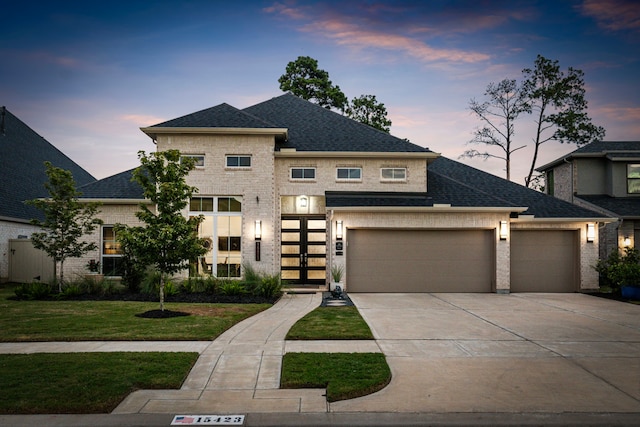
{"points": [[47, 383]]}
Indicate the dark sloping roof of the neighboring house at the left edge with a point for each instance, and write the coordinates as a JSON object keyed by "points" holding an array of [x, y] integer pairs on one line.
{"points": [[22, 177]]}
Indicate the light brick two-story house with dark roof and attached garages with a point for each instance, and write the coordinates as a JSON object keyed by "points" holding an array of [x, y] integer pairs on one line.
{"points": [[289, 187]]}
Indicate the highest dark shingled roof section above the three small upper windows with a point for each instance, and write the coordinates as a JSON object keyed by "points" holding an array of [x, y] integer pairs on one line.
{"points": [[314, 128]]}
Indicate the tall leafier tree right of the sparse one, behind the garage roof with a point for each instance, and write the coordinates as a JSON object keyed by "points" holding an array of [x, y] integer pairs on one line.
{"points": [[557, 101]]}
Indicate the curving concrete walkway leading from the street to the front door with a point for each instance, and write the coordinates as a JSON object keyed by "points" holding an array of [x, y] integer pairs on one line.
{"points": [[240, 370]]}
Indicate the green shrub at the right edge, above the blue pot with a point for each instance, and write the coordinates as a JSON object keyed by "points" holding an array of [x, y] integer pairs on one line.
{"points": [[620, 270]]}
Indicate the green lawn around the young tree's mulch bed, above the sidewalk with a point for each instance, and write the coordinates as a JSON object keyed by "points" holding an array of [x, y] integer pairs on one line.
{"points": [[114, 320]]}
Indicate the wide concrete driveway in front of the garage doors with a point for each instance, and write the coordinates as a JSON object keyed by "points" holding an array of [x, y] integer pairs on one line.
{"points": [[548, 353]]}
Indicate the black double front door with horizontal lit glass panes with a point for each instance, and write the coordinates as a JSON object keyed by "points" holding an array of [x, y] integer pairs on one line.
{"points": [[304, 249]]}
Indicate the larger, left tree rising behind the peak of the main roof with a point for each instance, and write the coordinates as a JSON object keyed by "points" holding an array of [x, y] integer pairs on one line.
{"points": [[303, 78]]}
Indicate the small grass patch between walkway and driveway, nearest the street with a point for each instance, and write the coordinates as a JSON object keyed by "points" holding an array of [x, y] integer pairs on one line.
{"points": [[344, 375]]}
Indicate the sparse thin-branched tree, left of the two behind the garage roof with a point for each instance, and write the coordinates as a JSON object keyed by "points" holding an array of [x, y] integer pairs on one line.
{"points": [[505, 102]]}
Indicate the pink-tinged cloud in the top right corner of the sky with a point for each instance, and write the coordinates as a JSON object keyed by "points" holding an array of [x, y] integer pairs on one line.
{"points": [[613, 15]]}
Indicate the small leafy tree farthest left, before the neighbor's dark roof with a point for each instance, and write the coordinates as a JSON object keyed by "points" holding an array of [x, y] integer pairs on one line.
{"points": [[66, 220]]}
